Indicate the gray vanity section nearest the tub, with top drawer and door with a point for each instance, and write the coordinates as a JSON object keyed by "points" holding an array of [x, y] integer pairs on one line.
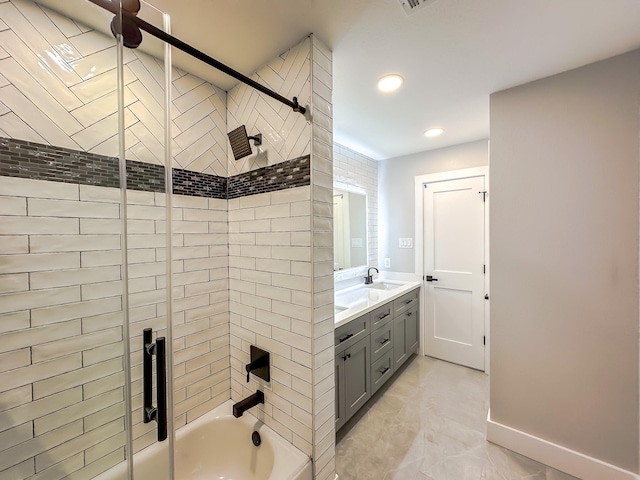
{"points": [[352, 373]]}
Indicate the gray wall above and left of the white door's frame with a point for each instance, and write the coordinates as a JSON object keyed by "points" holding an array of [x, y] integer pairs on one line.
{"points": [[397, 198]]}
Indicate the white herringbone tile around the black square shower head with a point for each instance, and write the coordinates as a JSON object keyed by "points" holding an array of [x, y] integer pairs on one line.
{"points": [[285, 133]]}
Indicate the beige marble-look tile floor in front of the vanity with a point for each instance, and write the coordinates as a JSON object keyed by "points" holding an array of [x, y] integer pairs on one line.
{"points": [[429, 424]]}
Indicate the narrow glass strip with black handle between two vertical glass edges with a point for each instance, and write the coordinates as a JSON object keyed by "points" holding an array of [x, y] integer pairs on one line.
{"points": [[145, 73]]}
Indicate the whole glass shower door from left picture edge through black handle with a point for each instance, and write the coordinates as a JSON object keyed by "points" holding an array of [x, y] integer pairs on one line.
{"points": [[84, 263]]}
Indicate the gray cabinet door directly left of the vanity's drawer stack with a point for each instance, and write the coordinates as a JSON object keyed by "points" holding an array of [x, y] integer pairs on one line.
{"points": [[357, 376]]}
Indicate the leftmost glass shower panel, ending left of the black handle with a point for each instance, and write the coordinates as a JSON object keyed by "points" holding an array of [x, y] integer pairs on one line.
{"points": [[63, 341]]}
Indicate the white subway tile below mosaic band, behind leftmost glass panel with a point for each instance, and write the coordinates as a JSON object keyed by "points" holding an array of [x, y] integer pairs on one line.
{"points": [[61, 345]]}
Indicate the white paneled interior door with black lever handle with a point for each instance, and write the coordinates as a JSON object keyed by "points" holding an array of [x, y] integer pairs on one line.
{"points": [[454, 270]]}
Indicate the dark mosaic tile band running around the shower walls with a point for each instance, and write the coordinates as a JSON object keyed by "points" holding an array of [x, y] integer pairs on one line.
{"points": [[19, 158]]}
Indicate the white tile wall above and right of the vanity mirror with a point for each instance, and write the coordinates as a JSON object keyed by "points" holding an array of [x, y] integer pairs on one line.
{"points": [[353, 168]]}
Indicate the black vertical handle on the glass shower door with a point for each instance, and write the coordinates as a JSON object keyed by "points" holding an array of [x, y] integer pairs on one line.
{"points": [[149, 412]]}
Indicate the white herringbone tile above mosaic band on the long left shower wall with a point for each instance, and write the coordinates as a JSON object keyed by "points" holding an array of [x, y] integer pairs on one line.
{"points": [[59, 87]]}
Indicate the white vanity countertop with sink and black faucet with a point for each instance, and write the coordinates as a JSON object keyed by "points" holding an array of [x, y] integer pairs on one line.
{"points": [[360, 299]]}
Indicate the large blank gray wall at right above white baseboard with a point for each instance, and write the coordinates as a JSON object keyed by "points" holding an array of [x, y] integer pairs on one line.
{"points": [[564, 259]]}
